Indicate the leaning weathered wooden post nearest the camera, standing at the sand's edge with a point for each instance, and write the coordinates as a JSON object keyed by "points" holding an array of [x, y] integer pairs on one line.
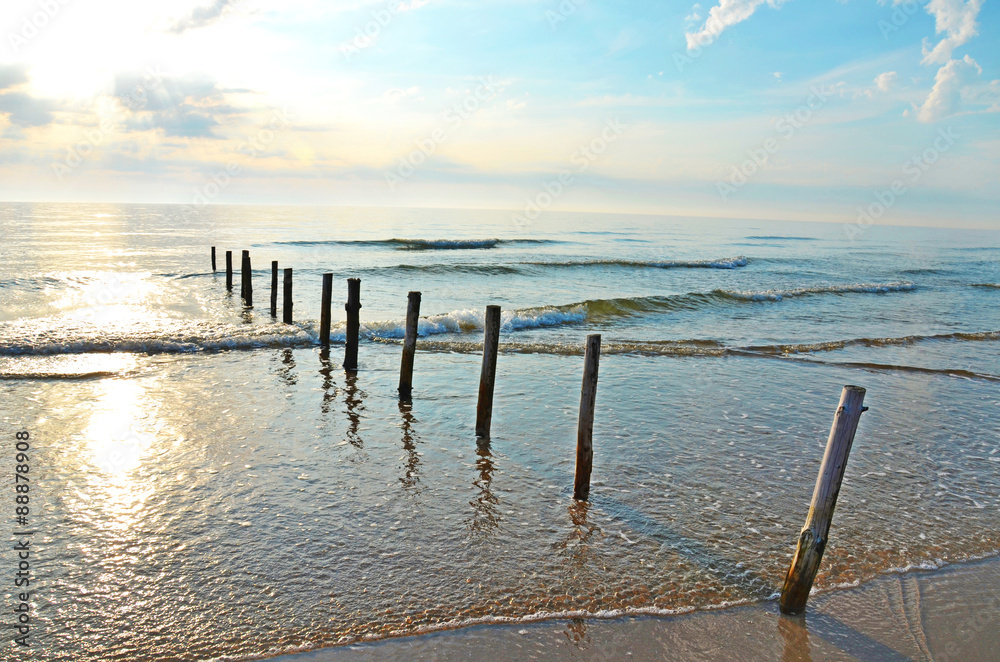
{"points": [[814, 535]]}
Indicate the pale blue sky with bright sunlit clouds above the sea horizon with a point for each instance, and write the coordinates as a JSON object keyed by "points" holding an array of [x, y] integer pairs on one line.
{"points": [[853, 111]]}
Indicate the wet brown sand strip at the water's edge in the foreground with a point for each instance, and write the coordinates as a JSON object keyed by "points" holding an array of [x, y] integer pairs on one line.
{"points": [[942, 615]]}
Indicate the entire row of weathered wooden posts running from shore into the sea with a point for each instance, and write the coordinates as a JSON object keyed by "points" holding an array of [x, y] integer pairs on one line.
{"points": [[814, 535]]}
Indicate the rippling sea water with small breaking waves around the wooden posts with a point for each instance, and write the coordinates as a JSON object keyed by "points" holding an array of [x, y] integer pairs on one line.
{"points": [[207, 484]]}
